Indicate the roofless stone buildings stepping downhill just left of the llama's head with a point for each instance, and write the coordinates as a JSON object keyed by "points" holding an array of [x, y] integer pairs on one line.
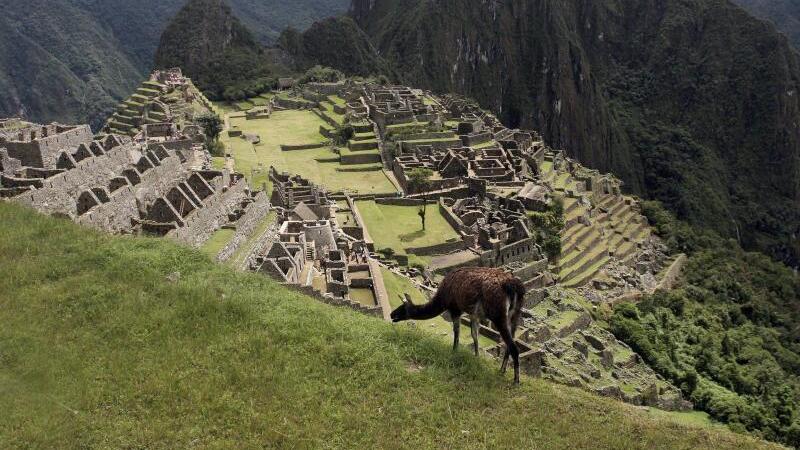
{"points": [[310, 250]]}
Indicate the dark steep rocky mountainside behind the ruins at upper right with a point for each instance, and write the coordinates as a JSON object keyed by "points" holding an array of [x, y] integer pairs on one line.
{"points": [[692, 102]]}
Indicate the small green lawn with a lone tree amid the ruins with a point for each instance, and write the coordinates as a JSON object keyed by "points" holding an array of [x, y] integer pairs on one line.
{"points": [[399, 227]]}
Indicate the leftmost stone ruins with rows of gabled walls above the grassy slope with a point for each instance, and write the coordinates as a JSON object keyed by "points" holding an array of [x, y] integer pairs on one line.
{"points": [[119, 185]]}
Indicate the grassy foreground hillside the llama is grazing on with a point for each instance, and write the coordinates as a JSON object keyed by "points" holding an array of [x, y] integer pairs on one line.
{"points": [[103, 344]]}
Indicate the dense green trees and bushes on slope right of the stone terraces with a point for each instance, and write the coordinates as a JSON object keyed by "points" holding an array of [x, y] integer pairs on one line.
{"points": [[729, 337]]}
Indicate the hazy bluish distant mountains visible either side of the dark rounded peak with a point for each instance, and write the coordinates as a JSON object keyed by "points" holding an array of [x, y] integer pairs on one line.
{"points": [[73, 60]]}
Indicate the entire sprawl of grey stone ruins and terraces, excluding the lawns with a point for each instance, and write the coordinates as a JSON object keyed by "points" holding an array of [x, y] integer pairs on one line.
{"points": [[152, 176]]}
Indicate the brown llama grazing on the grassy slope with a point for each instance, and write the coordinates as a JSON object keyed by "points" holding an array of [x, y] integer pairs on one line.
{"points": [[481, 292]]}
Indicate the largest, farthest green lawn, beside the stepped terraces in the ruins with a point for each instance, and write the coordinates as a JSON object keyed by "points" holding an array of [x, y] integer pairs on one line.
{"points": [[296, 128]]}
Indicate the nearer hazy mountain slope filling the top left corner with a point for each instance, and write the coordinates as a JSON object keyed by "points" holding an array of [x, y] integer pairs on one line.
{"points": [[47, 72]]}
